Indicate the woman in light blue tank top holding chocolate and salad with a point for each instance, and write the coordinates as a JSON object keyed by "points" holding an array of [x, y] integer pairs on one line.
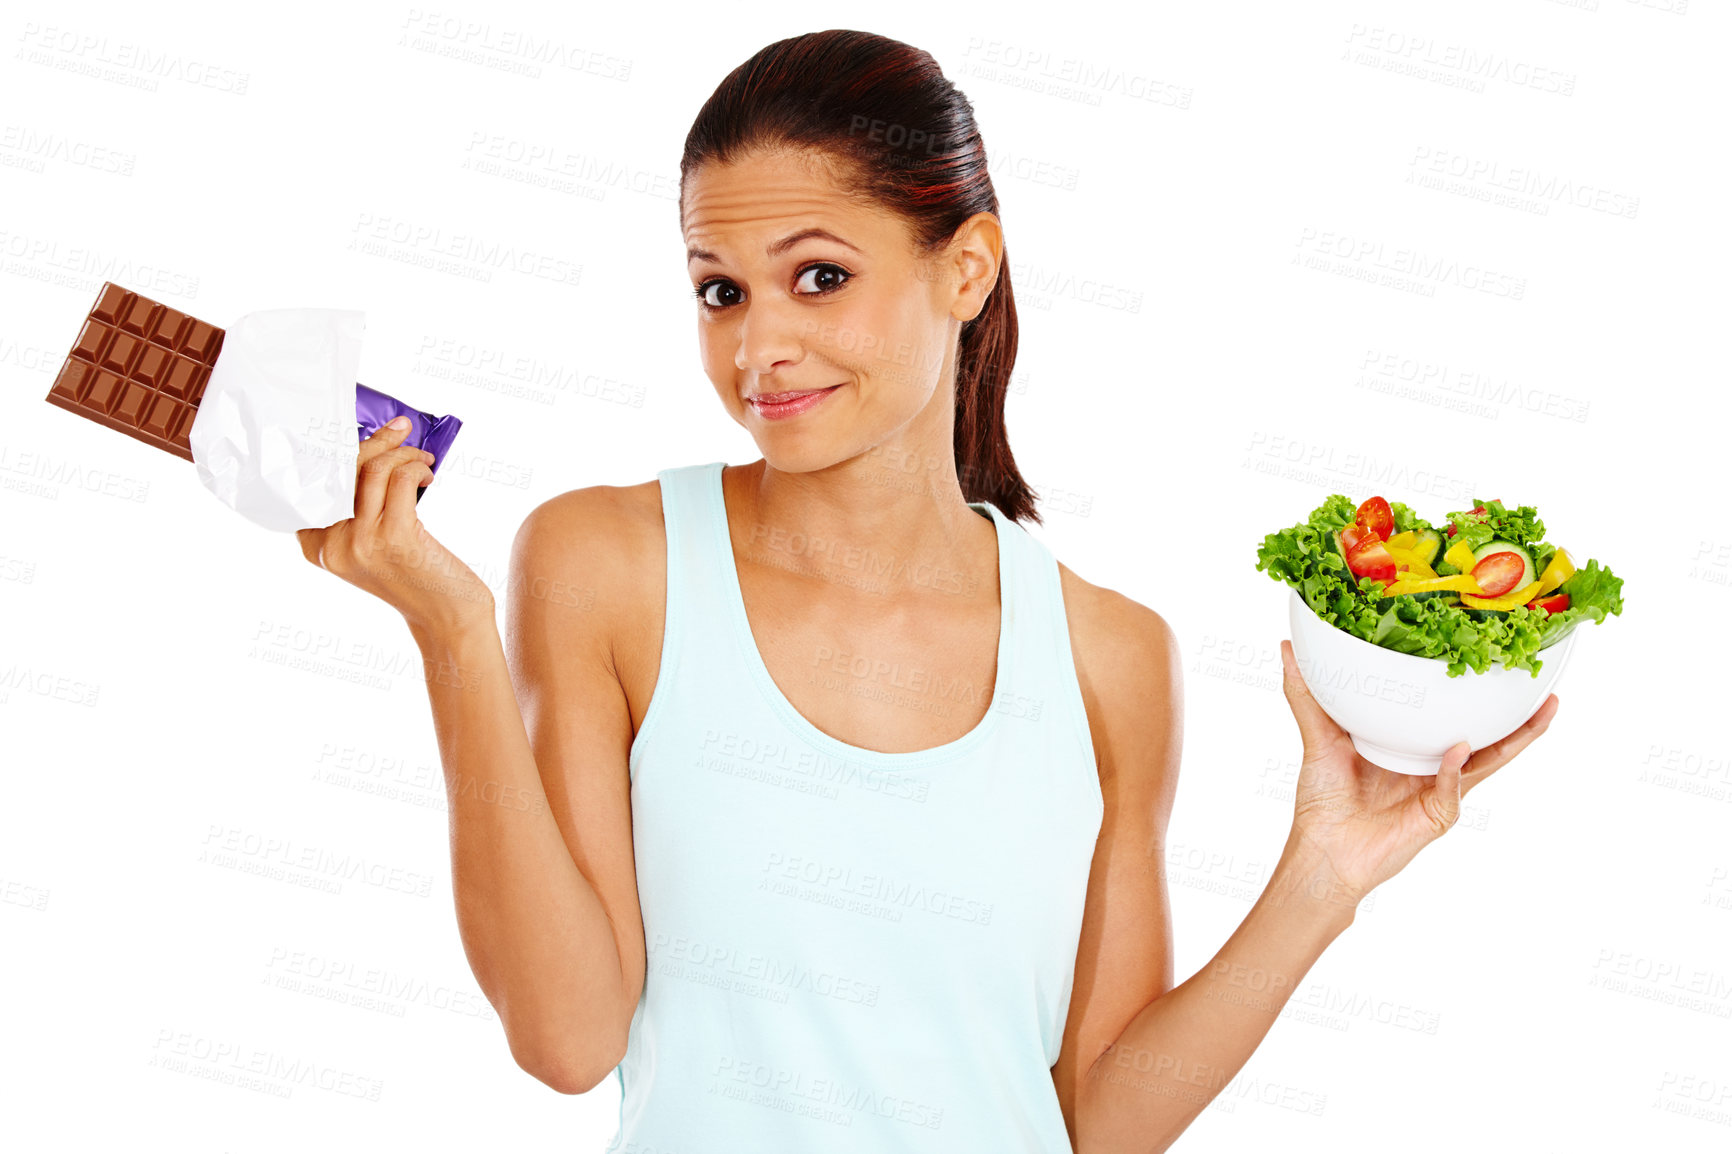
{"points": [[813, 796]]}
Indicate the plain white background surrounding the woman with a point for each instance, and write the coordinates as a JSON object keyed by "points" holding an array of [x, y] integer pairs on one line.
{"points": [[1208, 212]]}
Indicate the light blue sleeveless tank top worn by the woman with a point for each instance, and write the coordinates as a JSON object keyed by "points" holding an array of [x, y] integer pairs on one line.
{"points": [[851, 952]]}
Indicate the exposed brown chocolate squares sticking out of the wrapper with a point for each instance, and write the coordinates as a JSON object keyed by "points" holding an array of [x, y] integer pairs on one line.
{"points": [[139, 368]]}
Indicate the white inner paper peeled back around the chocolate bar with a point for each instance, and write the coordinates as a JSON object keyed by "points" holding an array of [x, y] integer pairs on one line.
{"points": [[276, 436]]}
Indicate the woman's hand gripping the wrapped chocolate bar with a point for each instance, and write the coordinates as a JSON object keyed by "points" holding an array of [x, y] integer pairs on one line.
{"points": [[389, 552]]}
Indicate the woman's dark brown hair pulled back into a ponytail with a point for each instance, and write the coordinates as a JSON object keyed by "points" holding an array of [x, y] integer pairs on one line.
{"points": [[910, 141]]}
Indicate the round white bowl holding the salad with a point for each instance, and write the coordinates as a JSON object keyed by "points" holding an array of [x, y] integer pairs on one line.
{"points": [[1406, 711]]}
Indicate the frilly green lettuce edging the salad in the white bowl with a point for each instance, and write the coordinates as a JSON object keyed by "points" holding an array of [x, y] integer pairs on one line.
{"points": [[1305, 559]]}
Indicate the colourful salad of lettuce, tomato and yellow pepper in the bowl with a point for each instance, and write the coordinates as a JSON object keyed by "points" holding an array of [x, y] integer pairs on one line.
{"points": [[1485, 588]]}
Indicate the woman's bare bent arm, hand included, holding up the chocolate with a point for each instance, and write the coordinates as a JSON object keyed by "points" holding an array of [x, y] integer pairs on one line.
{"points": [[534, 749]]}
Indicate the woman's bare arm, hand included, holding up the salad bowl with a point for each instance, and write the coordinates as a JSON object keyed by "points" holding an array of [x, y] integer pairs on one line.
{"points": [[1144, 1058]]}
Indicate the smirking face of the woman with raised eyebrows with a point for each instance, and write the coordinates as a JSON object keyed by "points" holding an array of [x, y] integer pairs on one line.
{"points": [[805, 288]]}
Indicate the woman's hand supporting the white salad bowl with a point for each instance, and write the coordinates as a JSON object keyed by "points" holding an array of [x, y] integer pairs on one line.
{"points": [[1366, 822]]}
